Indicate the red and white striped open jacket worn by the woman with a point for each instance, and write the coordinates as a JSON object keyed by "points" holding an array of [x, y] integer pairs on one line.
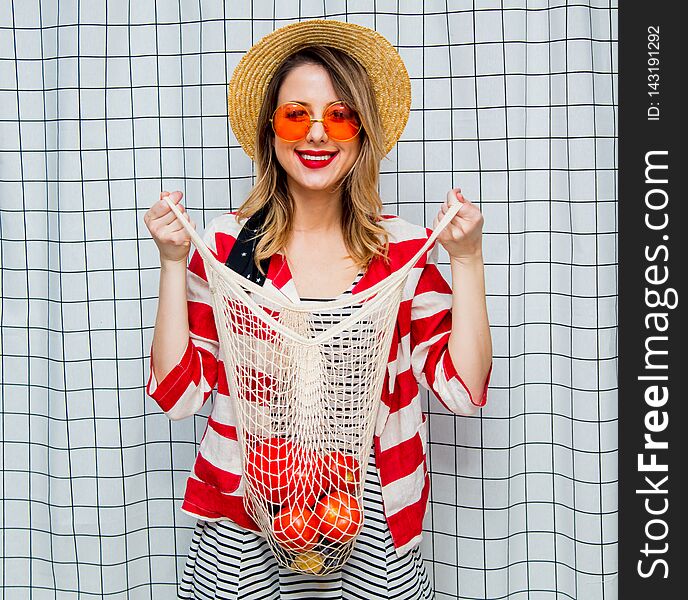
{"points": [[419, 355]]}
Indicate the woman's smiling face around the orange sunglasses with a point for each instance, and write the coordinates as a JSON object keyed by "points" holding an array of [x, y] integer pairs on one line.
{"points": [[311, 86]]}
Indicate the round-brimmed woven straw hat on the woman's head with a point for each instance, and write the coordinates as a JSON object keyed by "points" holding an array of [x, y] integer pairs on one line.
{"points": [[385, 68]]}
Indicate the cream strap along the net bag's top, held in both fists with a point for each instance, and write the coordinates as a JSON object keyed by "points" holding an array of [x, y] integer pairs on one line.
{"points": [[229, 275]]}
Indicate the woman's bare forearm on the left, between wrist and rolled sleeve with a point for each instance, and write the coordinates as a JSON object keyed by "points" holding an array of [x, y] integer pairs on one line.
{"points": [[171, 335]]}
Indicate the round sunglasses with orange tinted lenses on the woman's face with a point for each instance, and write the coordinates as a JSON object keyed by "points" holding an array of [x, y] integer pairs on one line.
{"points": [[292, 121]]}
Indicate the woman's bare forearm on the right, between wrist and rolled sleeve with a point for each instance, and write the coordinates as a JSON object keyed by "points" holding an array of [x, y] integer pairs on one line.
{"points": [[470, 342]]}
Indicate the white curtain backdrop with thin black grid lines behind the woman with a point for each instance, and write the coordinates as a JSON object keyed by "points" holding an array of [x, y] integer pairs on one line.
{"points": [[102, 105]]}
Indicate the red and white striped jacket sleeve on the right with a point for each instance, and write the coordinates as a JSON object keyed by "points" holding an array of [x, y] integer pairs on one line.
{"points": [[431, 323]]}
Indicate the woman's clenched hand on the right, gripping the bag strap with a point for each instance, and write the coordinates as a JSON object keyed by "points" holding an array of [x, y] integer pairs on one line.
{"points": [[462, 237]]}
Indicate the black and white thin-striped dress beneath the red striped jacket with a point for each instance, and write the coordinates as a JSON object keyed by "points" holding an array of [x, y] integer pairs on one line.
{"points": [[226, 561]]}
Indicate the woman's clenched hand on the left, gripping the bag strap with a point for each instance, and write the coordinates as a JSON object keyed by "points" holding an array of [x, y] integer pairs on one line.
{"points": [[169, 234]]}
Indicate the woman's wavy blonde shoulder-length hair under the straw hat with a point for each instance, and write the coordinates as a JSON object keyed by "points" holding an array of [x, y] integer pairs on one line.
{"points": [[361, 202]]}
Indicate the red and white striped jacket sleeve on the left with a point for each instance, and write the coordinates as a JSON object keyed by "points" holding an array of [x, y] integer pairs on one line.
{"points": [[184, 390]]}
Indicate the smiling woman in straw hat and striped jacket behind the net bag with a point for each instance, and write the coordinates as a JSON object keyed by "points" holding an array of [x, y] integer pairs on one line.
{"points": [[326, 119]]}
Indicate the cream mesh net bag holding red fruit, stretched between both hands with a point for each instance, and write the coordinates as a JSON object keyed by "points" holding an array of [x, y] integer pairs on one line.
{"points": [[307, 382]]}
